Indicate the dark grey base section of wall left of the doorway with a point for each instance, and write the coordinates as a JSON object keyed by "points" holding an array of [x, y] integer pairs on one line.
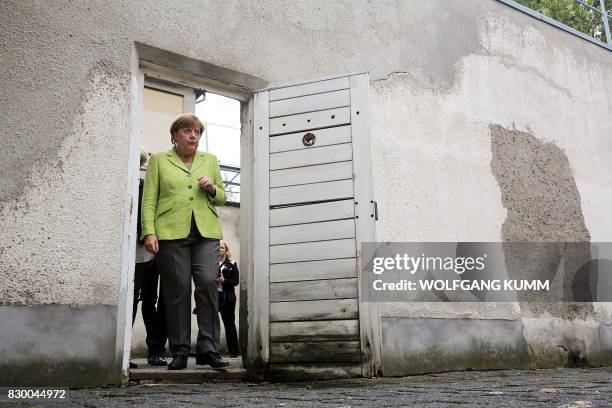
{"points": [[56, 345]]}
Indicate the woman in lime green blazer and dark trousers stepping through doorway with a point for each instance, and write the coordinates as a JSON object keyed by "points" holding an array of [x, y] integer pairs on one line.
{"points": [[180, 225]]}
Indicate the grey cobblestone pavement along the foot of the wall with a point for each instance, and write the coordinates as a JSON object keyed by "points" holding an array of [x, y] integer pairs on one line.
{"points": [[507, 388]]}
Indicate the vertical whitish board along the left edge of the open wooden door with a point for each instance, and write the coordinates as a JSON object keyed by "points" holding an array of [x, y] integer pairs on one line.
{"points": [[259, 299]]}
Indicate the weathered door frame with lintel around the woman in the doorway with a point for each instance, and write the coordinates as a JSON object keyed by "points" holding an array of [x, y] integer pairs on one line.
{"points": [[192, 73]]}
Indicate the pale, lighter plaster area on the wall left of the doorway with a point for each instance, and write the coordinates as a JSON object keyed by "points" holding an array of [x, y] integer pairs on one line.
{"points": [[61, 239]]}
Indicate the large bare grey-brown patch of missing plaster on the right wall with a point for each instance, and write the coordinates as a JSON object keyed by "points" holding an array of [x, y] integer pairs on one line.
{"points": [[543, 203]]}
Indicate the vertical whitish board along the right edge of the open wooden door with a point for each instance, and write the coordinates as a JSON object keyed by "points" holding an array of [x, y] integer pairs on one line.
{"points": [[369, 316]]}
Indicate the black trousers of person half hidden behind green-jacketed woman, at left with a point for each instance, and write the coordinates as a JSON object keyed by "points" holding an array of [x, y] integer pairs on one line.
{"points": [[146, 276]]}
